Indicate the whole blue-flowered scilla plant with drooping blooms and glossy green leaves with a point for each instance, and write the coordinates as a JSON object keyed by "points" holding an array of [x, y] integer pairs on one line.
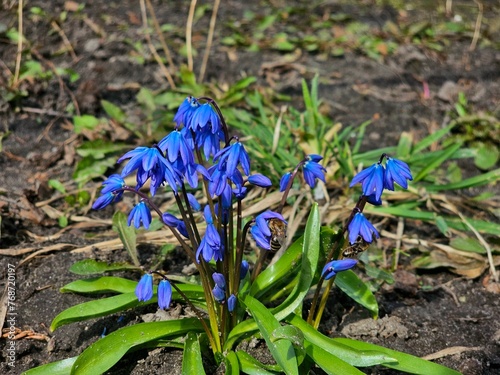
{"points": [[208, 173]]}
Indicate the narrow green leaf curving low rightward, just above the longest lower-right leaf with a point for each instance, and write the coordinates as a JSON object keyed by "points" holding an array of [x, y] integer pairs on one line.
{"points": [[359, 358]]}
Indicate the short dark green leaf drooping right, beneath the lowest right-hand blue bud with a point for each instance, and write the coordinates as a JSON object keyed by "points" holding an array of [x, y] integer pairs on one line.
{"points": [[355, 288]]}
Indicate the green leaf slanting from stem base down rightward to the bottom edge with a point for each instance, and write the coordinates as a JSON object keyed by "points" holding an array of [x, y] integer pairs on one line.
{"points": [[282, 350]]}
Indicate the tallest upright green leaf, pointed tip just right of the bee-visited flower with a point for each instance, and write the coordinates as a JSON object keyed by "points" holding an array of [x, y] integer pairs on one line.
{"points": [[309, 265]]}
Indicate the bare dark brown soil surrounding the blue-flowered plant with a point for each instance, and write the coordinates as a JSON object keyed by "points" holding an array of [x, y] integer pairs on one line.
{"points": [[422, 313]]}
